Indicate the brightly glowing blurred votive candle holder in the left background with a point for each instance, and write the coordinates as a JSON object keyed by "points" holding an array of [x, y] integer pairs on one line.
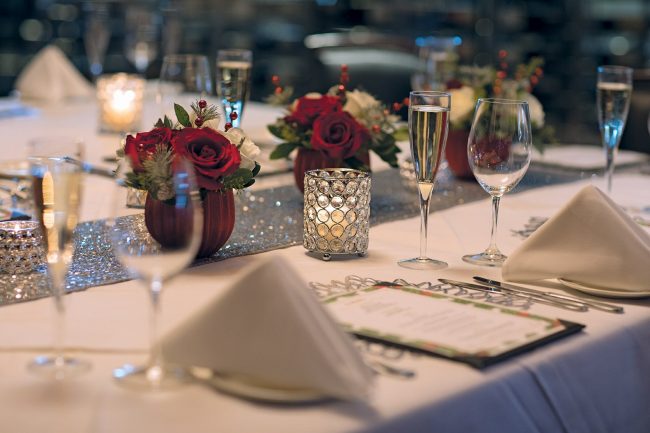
{"points": [[120, 102]]}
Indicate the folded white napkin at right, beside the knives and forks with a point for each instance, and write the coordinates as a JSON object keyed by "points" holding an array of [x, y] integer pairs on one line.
{"points": [[591, 240]]}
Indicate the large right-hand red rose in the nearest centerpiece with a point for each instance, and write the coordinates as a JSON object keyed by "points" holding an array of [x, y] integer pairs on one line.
{"points": [[212, 155]]}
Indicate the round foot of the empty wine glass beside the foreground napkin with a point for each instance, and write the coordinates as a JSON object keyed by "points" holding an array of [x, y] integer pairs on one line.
{"points": [[151, 378]]}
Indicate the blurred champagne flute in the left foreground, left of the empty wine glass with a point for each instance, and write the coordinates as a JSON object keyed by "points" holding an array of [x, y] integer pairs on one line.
{"points": [[57, 196]]}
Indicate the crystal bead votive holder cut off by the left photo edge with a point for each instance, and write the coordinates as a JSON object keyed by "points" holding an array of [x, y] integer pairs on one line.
{"points": [[21, 247]]}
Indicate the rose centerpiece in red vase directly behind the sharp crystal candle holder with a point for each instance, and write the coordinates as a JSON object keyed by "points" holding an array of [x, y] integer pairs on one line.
{"points": [[337, 129]]}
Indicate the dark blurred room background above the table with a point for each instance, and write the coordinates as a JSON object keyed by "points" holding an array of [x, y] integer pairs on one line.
{"points": [[305, 41]]}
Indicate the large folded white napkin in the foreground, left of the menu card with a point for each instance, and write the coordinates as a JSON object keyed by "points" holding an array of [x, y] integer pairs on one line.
{"points": [[270, 328]]}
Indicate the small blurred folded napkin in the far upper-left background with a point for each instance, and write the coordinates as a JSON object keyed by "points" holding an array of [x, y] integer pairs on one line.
{"points": [[51, 77]]}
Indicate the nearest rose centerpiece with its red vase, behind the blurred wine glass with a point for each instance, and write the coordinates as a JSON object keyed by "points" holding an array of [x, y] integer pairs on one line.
{"points": [[223, 161]]}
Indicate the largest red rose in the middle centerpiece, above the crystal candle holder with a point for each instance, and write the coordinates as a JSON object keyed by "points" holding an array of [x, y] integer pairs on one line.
{"points": [[338, 135]]}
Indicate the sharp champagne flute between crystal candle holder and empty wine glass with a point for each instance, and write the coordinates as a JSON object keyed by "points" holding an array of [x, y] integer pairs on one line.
{"points": [[428, 125]]}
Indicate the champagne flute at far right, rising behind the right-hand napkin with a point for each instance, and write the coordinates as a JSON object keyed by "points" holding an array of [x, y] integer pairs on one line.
{"points": [[614, 91]]}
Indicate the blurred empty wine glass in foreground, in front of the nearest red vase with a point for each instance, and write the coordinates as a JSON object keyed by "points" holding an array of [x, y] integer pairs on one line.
{"points": [[154, 263]]}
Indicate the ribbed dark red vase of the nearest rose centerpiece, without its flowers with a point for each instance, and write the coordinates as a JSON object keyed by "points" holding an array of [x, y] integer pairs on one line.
{"points": [[166, 223]]}
